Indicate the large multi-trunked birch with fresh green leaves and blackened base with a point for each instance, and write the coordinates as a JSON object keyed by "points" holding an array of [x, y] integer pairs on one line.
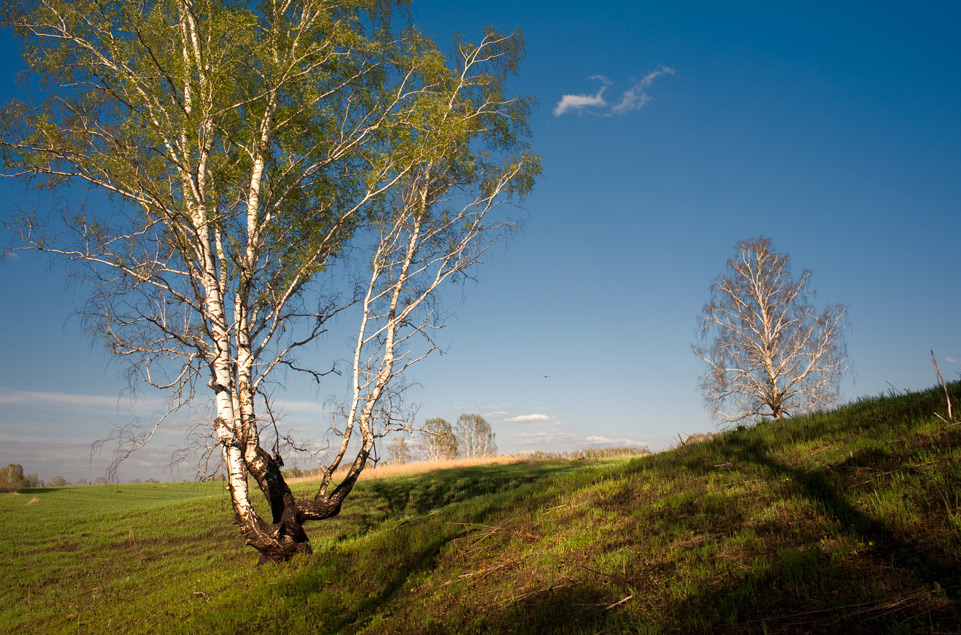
{"points": [[249, 150]]}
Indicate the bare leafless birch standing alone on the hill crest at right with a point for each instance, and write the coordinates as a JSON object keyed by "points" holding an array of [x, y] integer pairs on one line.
{"points": [[769, 352]]}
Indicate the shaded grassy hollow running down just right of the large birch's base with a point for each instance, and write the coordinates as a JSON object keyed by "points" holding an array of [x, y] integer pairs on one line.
{"points": [[379, 567]]}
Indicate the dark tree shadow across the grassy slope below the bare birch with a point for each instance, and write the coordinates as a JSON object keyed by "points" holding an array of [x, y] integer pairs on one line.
{"points": [[895, 584]]}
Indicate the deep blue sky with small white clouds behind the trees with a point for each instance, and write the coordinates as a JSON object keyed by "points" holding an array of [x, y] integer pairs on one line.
{"points": [[834, 130]]}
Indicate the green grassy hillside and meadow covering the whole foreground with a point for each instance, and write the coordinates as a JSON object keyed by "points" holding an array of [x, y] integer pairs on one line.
{"points": [[847, 521]]}
